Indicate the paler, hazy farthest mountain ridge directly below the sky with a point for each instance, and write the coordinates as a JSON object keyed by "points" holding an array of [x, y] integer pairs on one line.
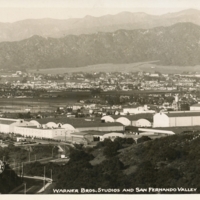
{"points": [[109, 23]]}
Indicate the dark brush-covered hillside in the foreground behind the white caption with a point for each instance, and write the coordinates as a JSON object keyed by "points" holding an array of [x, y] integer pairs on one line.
{"points": [[167, 162]]}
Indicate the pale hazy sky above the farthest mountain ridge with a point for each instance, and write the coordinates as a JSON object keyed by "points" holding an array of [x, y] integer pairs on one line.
{"points": [[15, 10]]}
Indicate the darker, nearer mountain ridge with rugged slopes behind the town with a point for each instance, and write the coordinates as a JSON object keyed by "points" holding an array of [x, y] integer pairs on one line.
{"points": [[178, 44]]}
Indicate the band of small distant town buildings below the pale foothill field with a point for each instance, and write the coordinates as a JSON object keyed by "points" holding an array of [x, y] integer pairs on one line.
{"points": [[105, 81]]}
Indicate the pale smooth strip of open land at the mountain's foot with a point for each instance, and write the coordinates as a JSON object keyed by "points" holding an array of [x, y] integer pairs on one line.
{"points": [[130, 67]]}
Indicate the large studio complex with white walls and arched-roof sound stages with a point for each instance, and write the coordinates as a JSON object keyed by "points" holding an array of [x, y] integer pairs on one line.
{"points": [[87, 130]]}
